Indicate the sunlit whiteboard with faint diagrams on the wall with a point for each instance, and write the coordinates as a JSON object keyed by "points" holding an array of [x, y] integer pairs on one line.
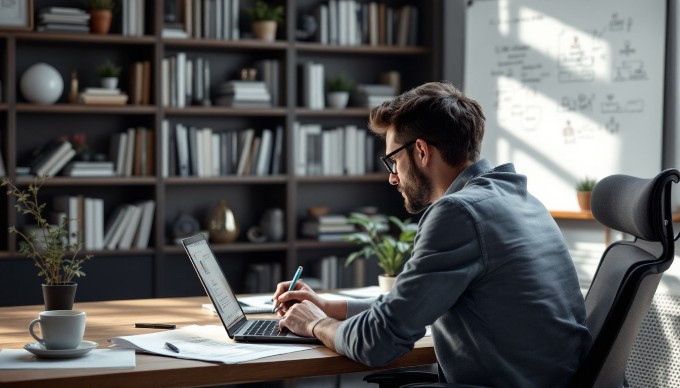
{"points": [[570, 89]]}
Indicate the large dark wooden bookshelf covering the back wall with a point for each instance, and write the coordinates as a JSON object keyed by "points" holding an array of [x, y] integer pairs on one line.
{"points": [[162, 269]]}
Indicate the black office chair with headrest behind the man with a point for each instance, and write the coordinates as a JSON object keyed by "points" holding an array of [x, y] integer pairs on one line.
{"points": [[623, 286]]}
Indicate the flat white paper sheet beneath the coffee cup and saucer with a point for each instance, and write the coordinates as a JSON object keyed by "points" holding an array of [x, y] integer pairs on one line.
{"points": [[97, 358]]}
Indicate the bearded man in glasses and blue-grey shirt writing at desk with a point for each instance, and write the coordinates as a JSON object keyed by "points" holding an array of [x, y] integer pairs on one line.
{"points": [[490, 271]]}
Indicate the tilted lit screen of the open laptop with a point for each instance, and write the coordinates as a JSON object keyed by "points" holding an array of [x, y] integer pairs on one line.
{"points": [[214, 281]]}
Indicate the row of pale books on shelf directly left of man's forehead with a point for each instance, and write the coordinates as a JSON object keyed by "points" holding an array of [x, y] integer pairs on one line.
{"points": [[340, 150]]}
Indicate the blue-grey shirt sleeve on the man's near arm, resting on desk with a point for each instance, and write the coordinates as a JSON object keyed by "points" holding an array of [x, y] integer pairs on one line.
{"points": [[442, 263]]}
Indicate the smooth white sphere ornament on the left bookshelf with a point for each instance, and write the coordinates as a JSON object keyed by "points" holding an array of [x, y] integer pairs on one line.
{"points": [[42, 84]]}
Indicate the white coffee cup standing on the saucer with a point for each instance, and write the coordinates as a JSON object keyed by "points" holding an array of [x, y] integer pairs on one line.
{"points": [[60, 329]]}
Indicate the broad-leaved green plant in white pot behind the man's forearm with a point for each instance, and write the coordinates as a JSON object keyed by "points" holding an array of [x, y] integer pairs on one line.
{"points": [[392, 251]]}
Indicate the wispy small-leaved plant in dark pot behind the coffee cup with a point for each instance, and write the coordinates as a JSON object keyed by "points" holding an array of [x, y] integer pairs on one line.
{"points": [[49, 246]]}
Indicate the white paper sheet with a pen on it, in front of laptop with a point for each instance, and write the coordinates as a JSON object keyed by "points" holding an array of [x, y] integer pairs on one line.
{"points": [[206, 343]]}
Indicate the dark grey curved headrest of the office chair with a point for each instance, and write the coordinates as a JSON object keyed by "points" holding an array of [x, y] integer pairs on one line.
{"points": [[633, 205]]}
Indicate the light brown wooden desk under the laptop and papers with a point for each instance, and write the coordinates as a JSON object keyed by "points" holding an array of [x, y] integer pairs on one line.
{"points": [[115, 318]]}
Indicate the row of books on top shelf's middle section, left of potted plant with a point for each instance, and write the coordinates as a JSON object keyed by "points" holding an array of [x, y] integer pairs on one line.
{"points": [[208, 19]]}
